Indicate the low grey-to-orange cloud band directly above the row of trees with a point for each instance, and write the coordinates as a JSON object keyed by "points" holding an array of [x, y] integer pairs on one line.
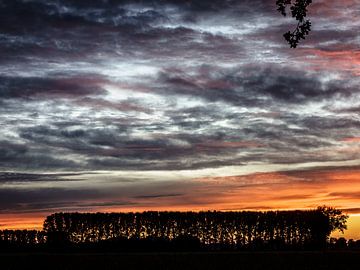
{"points": [[282, 189]]}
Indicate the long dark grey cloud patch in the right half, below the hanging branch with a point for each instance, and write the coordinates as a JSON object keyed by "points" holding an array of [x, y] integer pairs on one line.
{"points": [[253, 86]]}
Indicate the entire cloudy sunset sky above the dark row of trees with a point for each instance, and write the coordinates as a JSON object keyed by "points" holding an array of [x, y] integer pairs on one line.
{"points": [[176, 105]]}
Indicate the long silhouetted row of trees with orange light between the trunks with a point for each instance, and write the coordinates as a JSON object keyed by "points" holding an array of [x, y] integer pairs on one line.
{"points": [[221, 230]]}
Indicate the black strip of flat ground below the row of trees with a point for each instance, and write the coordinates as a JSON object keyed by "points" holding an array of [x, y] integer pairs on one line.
{"points": [[184, 261]]}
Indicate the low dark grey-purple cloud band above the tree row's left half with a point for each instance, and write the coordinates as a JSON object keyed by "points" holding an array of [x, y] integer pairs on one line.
{"points": [[17, 198]]}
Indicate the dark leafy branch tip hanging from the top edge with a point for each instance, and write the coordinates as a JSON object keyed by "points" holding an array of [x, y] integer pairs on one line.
{"points": [[299, 11]]}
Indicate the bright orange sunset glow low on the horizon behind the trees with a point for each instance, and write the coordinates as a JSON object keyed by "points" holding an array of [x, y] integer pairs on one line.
{"points": [[286, 190]]}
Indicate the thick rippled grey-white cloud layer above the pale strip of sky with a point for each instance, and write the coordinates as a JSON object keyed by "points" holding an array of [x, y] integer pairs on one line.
{"points": [[172, 85]]}
